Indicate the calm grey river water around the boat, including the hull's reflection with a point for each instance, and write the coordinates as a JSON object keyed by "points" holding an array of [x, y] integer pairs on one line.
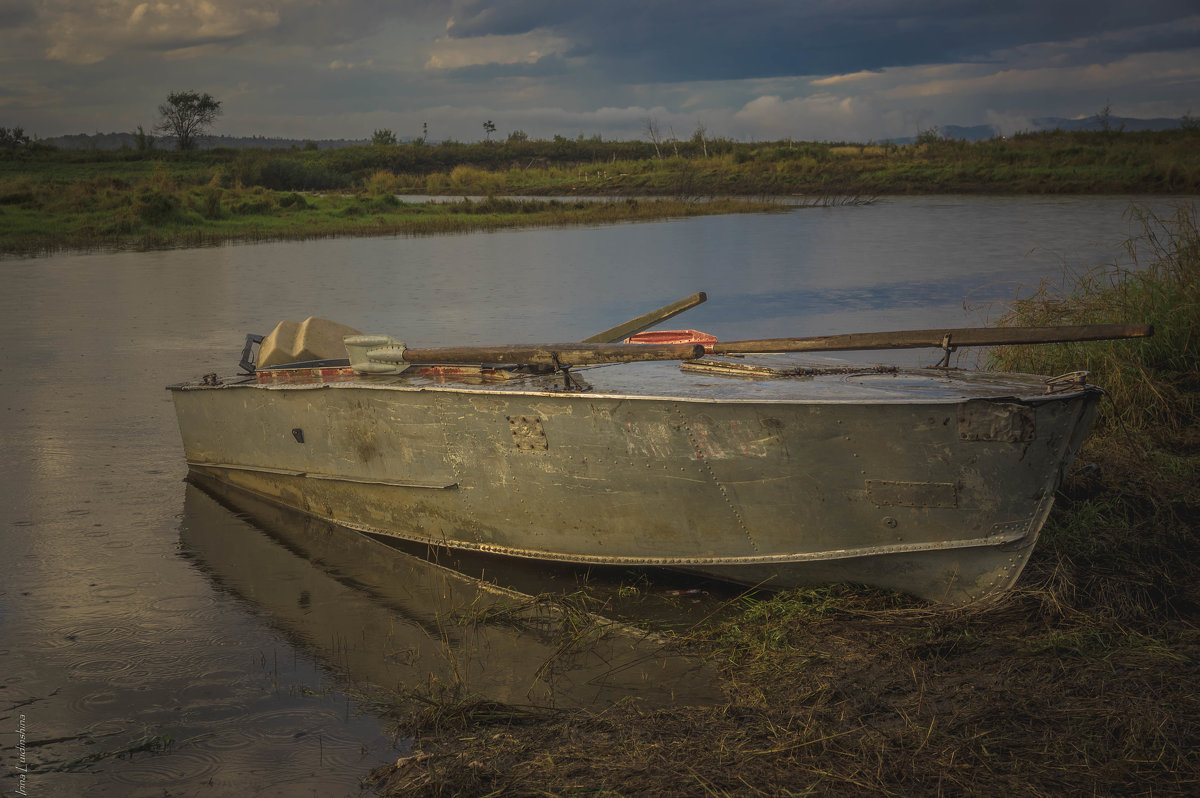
{"points": [[153, 638]]}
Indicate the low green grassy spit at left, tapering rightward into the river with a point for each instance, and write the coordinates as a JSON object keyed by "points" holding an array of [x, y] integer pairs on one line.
{"points": [[161, 212]]}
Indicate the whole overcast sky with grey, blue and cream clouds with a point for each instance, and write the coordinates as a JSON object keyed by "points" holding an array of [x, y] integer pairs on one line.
{"points": [[827, 70]]}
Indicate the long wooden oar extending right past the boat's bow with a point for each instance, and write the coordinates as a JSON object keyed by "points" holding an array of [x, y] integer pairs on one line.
{"points": [[951, 339]]}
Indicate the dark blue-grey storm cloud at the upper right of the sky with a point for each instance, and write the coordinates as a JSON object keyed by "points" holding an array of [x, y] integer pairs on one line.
{"points": [[710, 40]]}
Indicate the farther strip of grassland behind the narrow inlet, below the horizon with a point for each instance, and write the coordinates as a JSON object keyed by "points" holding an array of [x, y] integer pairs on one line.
{"points": [[1052, 163]]}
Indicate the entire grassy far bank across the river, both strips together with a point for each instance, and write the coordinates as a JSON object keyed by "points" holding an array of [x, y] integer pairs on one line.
{"points": [[80, 200]]}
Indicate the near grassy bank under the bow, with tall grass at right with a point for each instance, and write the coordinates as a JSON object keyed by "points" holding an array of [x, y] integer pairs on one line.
{"points": [[1079, 682]]}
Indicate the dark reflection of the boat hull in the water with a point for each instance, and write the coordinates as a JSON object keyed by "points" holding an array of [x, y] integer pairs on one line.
{"points": [[388, 619]]}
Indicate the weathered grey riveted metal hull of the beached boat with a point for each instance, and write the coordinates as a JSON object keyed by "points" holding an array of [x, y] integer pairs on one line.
{"points": [[862, 477]]}
